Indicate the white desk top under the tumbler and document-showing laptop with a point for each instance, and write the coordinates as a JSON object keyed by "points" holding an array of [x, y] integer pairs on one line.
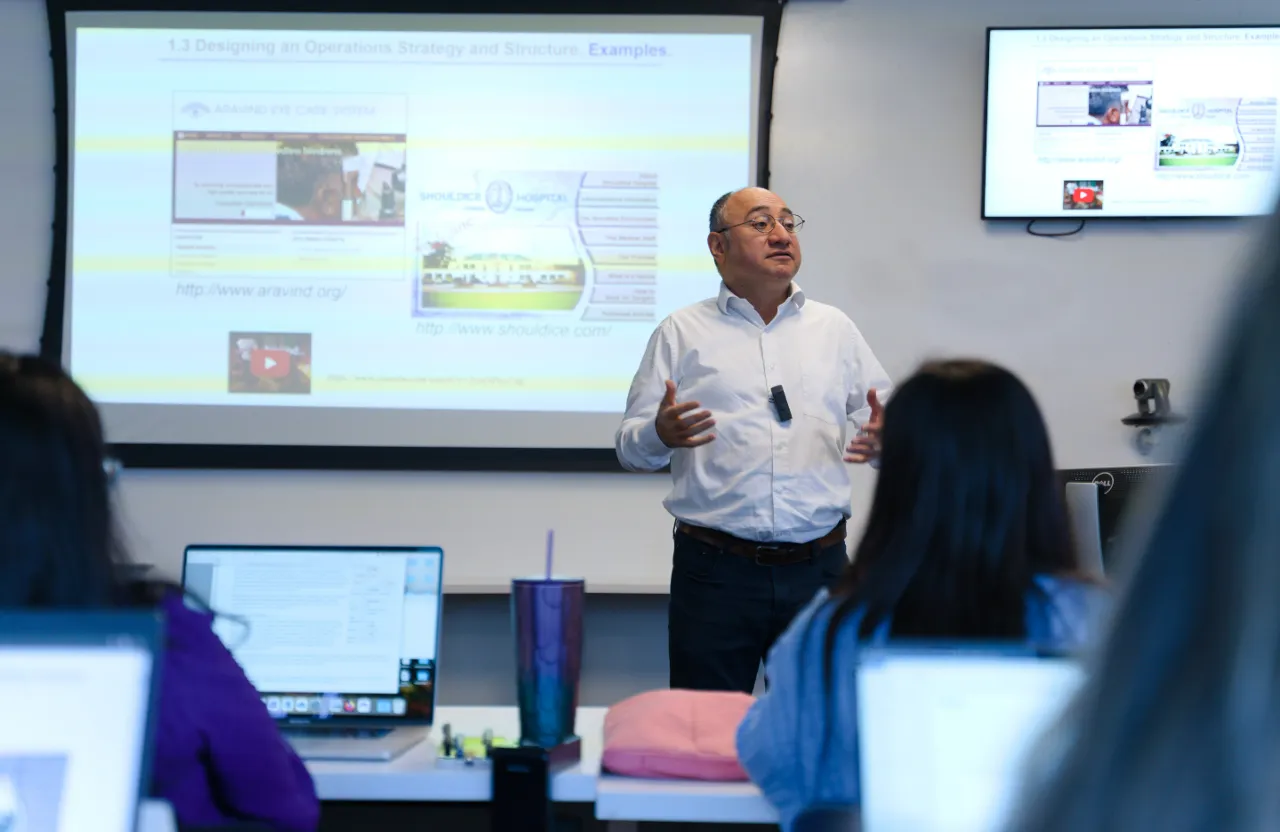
{"points": [[415, 776]]}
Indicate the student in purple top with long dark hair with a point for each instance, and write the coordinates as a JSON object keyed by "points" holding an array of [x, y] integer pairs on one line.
{"points": [[218, 757]]}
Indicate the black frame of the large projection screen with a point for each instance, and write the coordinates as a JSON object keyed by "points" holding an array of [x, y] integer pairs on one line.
{"points": [[362, 458]]}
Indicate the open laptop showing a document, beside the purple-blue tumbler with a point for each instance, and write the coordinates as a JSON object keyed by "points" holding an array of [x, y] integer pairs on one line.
{"points": [[340, 642]]}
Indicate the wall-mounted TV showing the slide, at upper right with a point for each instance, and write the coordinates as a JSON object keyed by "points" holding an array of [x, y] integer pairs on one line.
{"points": [[1131, 124]]}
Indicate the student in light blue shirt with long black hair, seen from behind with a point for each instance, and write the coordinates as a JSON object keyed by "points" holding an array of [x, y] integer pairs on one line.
{"points": [[967, 540]]}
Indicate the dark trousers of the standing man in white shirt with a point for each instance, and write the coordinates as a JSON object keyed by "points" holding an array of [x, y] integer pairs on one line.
{"points": [[728, 611]]}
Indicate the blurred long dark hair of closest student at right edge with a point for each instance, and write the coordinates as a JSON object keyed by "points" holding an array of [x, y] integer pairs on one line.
{"points": [[1178, 725]]}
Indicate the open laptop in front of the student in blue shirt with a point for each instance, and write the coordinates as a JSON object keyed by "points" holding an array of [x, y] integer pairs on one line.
{"points": [[944, 732]]}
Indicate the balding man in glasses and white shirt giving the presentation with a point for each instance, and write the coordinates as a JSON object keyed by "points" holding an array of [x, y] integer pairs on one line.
{"points": [[748, 397]]}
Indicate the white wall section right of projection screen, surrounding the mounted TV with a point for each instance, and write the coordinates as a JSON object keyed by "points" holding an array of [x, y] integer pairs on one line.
{"points": [[877, 143]]}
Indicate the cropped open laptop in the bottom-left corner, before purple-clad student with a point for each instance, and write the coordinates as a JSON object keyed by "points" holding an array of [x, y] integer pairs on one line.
{"points": [[76, 738]]}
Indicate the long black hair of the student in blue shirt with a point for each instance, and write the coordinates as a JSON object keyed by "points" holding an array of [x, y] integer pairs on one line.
{"points": [[968, 511]]}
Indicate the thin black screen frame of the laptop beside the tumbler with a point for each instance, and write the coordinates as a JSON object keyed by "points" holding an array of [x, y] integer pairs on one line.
{"points": [[342, 721]]}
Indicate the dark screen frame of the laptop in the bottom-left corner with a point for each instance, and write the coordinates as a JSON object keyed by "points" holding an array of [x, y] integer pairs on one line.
{"points": [[145, 630]]}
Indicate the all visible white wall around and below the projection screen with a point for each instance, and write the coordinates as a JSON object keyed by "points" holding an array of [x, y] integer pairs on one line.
{"points": [[877, 143]]}
